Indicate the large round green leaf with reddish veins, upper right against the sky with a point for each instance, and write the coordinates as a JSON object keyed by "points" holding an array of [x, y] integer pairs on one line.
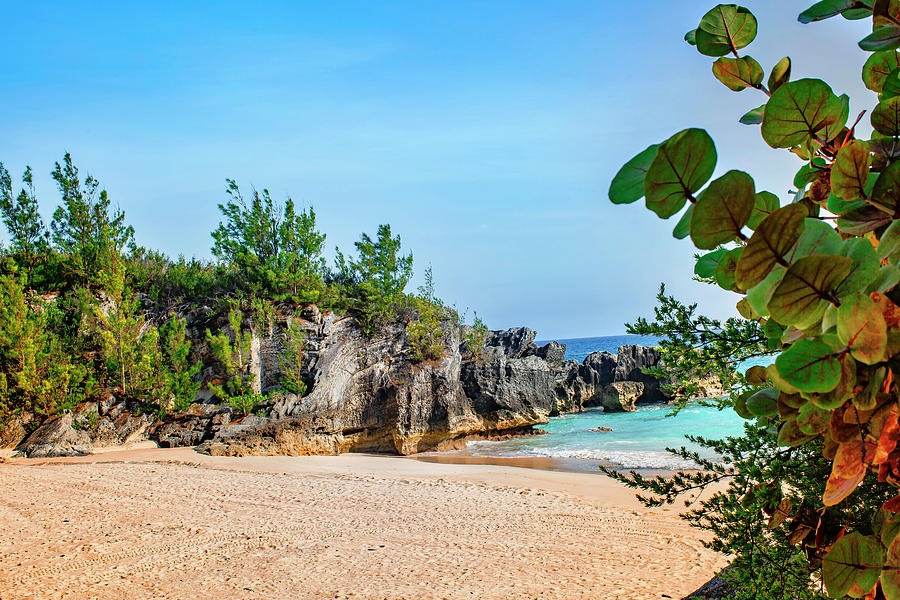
{"points": [[800, 110]]}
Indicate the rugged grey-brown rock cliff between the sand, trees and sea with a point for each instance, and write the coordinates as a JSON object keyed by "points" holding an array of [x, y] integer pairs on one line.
{"points": [[367, 394]]}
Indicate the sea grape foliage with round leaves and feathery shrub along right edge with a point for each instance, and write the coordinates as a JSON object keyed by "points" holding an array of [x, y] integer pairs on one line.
{"points": [[811, 505]]}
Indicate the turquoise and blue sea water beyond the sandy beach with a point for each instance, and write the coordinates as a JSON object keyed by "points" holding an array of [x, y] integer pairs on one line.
{"points": [[638, 439]]}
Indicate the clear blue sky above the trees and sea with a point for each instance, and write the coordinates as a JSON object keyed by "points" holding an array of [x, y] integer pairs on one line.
{"points": [[485, 133]]}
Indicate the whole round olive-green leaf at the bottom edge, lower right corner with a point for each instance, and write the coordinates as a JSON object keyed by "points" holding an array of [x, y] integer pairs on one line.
{"points": [[853, 562]]}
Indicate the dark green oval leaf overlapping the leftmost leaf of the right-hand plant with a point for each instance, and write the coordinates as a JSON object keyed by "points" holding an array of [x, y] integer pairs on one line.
{"points": [[683, 163]]}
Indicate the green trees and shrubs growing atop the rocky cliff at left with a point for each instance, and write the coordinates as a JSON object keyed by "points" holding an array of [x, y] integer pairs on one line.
{"points": [[84, 311]]}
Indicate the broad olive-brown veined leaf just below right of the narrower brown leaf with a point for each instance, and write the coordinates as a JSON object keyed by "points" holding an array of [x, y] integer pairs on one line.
{"points": [[801, 297]]}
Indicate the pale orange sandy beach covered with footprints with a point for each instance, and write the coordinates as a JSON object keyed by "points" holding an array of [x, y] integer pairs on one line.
{"points": [[155, 523]]}
